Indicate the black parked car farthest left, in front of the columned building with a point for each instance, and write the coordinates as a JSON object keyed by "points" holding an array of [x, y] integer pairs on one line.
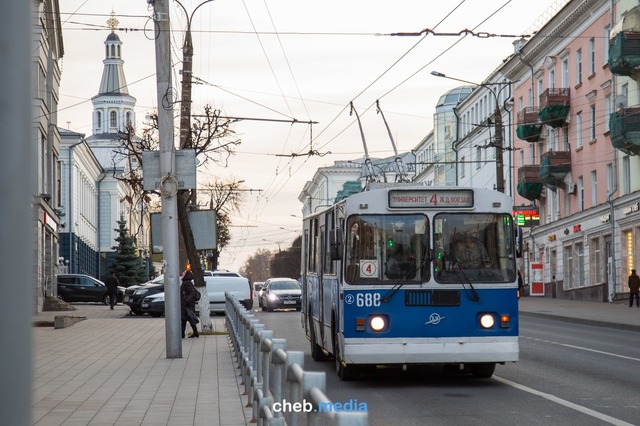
{"points": [[84, 288]]}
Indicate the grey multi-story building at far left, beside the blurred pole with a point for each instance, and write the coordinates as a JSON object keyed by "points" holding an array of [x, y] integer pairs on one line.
{"points": [[47, 52]]}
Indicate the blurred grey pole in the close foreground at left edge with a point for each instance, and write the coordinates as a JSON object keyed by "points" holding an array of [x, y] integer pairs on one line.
{"points": [[17, 226]]}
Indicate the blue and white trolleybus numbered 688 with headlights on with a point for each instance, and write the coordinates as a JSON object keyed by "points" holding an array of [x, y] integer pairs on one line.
{"points": [[412, 275]]}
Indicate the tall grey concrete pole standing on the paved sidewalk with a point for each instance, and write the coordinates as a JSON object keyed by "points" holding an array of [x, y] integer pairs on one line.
{"points": [[168, 181]]}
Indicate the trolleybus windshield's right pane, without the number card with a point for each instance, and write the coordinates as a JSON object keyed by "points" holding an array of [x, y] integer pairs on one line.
{"points": [[477, 248]]}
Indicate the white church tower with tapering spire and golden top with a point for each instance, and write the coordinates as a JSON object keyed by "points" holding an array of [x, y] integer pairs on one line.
{"points": [[113, 107]]}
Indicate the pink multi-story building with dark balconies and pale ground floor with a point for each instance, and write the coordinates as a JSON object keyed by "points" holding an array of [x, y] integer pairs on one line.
{"points": [[566, 164]]}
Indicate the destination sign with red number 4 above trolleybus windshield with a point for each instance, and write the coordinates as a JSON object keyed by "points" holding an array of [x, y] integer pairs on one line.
{"points": [[429, 198]]}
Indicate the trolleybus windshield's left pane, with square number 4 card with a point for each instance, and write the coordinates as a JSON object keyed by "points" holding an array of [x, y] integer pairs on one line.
{"points": [[387, 248]]}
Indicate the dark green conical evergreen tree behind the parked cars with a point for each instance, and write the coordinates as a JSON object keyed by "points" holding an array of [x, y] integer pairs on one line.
{"points": [[127, 265]]}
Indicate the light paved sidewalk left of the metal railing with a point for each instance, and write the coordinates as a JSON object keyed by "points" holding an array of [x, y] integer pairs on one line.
{"points": [[111, 369]]}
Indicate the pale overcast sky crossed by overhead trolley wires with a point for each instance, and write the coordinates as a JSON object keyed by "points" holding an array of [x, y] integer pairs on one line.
{"points": [[296, 59]]}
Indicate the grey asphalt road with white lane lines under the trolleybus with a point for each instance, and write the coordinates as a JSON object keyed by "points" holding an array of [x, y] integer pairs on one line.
{"points": [[568, 374]]}
